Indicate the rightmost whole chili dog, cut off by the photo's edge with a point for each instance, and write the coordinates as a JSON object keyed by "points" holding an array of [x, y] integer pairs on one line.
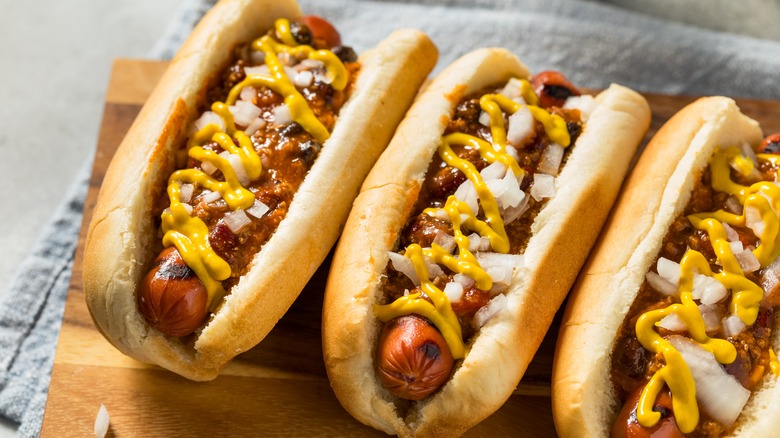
{"points": [[670, 329]]}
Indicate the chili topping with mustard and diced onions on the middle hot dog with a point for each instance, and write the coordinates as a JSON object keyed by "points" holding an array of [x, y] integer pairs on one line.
{"points": [[471, 222]]}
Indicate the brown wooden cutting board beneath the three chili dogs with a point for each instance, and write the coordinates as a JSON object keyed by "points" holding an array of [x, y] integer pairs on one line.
{"points": [[277, 388]]}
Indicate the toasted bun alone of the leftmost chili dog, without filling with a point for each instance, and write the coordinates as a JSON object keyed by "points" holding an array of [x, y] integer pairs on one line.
{"points": [[122, 236]]}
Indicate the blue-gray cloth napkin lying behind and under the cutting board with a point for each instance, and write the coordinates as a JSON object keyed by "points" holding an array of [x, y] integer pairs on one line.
{"points": [[595, 44]]}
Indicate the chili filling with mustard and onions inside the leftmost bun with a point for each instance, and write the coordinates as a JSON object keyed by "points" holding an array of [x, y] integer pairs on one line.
{"points": [[272, 112]]}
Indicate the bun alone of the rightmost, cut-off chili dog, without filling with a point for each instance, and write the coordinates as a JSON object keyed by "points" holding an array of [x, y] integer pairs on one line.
{"points": [[584, 400]]}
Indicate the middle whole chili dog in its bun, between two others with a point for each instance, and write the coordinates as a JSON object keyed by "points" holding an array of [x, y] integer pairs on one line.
{"points": [[462, 243]]}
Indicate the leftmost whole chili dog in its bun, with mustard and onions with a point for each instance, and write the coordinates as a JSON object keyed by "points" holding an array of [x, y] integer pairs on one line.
{"points": [[235, 180]]}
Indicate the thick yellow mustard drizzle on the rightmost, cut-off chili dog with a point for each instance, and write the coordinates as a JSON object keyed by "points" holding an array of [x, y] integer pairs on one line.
{"points": [[761, 197]]}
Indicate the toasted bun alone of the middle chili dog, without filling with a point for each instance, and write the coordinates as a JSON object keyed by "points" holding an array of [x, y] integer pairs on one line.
{"points": [[503, 348]]}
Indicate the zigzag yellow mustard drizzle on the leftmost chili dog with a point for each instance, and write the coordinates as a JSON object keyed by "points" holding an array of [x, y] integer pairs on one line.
{"points": [[190, 234]]}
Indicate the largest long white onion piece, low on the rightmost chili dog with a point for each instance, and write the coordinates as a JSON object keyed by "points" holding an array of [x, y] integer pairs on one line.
{"points": [[719, 393]]}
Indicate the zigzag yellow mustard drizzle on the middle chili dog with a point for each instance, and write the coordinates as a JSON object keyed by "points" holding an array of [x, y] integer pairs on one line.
{"points": [[440, 312]]}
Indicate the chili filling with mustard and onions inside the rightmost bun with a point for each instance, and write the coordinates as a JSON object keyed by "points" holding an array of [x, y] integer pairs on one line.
{"points": [[701, 324]]}
